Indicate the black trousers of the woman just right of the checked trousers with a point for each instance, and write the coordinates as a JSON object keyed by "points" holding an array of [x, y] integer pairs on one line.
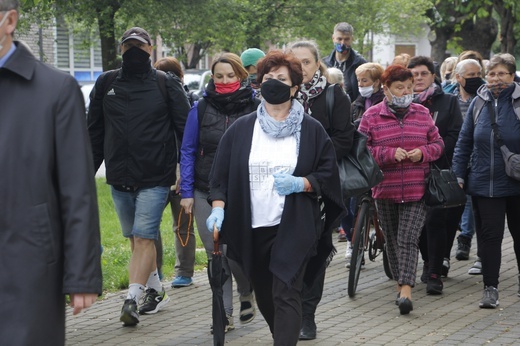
{"points": [[438, 234]]}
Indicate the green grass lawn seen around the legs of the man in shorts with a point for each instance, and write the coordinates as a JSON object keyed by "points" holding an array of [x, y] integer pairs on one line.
{"points": [[116, 248]]}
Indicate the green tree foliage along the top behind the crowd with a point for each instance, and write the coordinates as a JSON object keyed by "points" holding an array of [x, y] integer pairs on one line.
{"points": [[194, 27]]}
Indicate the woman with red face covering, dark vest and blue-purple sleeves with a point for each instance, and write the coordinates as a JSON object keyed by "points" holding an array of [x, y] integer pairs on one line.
{"points": [[226, 98]]}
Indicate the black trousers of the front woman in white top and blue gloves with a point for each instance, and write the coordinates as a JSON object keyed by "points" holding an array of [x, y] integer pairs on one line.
{"points": [[279, 303]]}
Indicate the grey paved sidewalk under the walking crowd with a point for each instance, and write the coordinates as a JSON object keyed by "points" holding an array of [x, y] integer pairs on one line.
{"points": [[371, 318]]}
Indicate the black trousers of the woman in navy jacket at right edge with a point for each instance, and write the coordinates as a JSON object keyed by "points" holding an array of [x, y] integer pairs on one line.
{"points": [[490, 215]]}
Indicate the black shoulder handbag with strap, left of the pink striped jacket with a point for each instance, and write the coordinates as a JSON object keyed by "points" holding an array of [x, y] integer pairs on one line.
{"points": [[358, 171]]}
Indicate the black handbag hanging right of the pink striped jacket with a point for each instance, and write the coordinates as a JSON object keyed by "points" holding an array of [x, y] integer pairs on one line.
{"points": [[443, 189]]}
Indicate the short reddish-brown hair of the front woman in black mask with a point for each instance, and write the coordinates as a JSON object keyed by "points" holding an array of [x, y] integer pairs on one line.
{"points": [[277, 58]]}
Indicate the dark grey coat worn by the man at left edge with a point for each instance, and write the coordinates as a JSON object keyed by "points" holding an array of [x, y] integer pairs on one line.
{"points": [[49, 223]]}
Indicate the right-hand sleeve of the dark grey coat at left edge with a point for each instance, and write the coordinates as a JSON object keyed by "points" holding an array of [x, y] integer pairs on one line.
{"points": [[77, 194]]}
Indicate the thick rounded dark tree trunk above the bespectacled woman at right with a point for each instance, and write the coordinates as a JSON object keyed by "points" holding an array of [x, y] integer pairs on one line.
{"points": [[479, 34]]}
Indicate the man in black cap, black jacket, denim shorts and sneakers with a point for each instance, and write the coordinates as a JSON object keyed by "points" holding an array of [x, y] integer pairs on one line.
{"points": [[133, 124]]}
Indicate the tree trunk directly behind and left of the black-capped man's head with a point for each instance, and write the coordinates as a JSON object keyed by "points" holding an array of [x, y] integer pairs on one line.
{"points": [[109, 44]]}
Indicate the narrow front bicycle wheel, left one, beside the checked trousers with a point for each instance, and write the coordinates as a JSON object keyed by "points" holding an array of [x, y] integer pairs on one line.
{"points": [[359, 238]]}
